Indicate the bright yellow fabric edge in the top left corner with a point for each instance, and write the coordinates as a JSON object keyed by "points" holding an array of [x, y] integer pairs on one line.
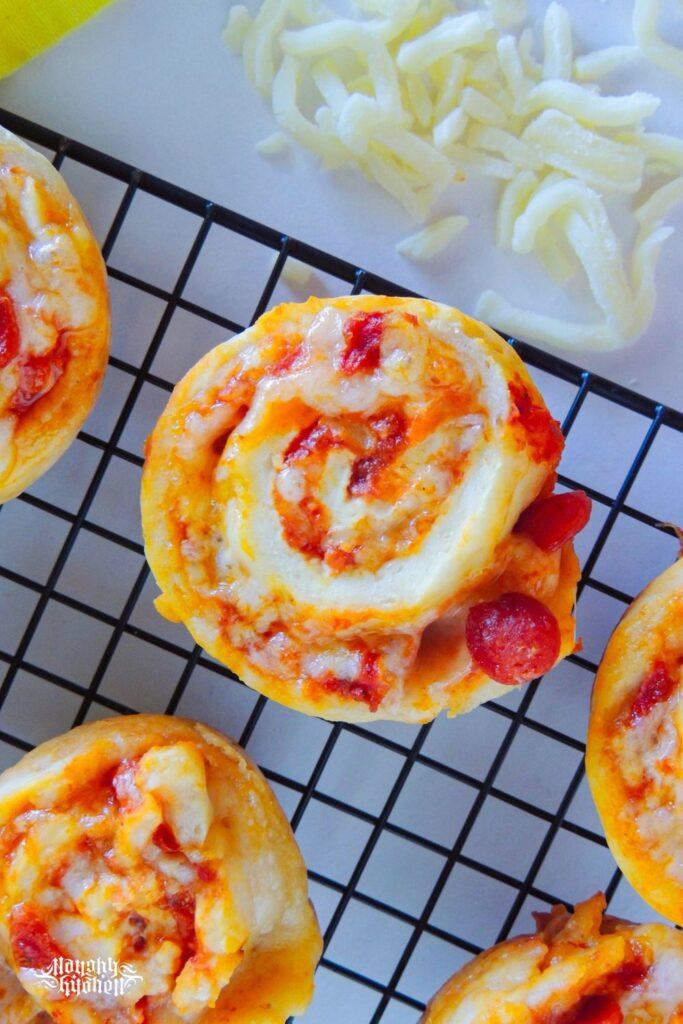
{"points": [[29, 27]]}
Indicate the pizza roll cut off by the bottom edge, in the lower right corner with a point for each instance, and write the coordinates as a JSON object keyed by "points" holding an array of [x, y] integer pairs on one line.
{"points": [[580, 968]]}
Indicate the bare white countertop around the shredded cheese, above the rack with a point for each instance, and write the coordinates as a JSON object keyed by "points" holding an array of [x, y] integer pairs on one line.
{"points": [[151, 82]]}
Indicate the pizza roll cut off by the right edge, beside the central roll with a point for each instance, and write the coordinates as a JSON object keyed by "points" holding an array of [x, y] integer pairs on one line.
{"points": [[634, 756]]}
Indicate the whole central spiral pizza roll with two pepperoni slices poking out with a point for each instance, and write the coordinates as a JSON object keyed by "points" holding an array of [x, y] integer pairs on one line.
{"points": [[332, 503]]}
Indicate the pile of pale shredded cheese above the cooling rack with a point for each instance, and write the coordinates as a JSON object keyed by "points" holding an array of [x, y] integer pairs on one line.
{"points": [[420, 96]]}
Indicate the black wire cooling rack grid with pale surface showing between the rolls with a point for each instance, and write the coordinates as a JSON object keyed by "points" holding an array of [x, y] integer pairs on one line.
{"points": [[424, 845]]}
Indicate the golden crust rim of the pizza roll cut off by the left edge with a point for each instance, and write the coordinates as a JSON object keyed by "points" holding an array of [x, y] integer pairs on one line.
{"points": [[41, 434]]}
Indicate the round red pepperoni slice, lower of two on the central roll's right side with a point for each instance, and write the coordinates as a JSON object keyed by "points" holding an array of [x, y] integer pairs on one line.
{"points": [[514, 638]]}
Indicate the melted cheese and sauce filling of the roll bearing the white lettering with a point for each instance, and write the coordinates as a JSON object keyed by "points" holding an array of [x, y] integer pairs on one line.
{"points": [[138, 871]]}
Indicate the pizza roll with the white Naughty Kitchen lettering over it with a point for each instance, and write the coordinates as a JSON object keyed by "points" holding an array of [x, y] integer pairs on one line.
{"points": [[151, 850]]}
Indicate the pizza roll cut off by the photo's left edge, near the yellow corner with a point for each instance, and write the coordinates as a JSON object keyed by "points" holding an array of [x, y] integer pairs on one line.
{"points": [[55, 325]]}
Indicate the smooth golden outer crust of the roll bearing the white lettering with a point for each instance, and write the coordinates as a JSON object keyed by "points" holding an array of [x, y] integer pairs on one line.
{"points": [[268, 877]]}
